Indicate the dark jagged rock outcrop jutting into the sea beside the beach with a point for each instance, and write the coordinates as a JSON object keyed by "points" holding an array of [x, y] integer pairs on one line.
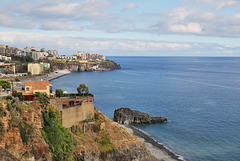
{"points": [[128, 116]]}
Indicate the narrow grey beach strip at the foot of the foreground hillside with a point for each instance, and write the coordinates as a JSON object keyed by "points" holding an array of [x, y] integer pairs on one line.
{"points": [[157, 151]]}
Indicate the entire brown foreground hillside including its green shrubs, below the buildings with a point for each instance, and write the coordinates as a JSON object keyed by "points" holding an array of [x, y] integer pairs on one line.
{"points": [[28, 133]]}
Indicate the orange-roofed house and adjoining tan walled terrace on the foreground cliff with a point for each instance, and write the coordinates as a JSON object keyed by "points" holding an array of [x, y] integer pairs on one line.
{"points": [[72, 110]]}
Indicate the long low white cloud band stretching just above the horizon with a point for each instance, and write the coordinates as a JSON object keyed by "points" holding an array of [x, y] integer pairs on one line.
{"points": [[70, 44]]}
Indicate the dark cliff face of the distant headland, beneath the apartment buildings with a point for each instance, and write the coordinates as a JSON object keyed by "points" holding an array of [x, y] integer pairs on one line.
{"points": [[85, 66]]}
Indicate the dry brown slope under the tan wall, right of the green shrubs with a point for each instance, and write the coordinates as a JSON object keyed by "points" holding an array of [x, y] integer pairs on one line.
{"points": [[103, 139]]}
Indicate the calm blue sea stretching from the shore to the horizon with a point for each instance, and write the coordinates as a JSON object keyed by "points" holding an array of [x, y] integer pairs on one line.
{"points": [[200, 96]]}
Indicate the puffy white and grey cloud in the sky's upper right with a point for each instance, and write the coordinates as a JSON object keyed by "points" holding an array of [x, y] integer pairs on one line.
{"points": [[192, 18]]}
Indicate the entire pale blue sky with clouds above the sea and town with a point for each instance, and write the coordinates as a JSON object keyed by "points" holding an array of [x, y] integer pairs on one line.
{"points": [[123, 27]]}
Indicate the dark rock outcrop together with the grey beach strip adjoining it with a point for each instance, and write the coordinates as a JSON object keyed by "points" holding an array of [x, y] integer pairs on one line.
{"points": [[126, 116]]}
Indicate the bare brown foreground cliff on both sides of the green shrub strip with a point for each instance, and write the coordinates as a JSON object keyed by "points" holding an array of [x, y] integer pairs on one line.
{"points": [[95, 139]]}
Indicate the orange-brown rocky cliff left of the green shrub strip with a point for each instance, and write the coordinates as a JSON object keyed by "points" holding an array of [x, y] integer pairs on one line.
{"points": [[23, 143]]}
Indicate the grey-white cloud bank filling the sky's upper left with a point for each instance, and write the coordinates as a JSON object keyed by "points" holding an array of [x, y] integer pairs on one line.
{"points": [[54, 15]]}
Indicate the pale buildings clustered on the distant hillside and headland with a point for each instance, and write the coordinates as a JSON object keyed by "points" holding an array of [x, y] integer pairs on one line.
{"points": [[8, 69]]}
